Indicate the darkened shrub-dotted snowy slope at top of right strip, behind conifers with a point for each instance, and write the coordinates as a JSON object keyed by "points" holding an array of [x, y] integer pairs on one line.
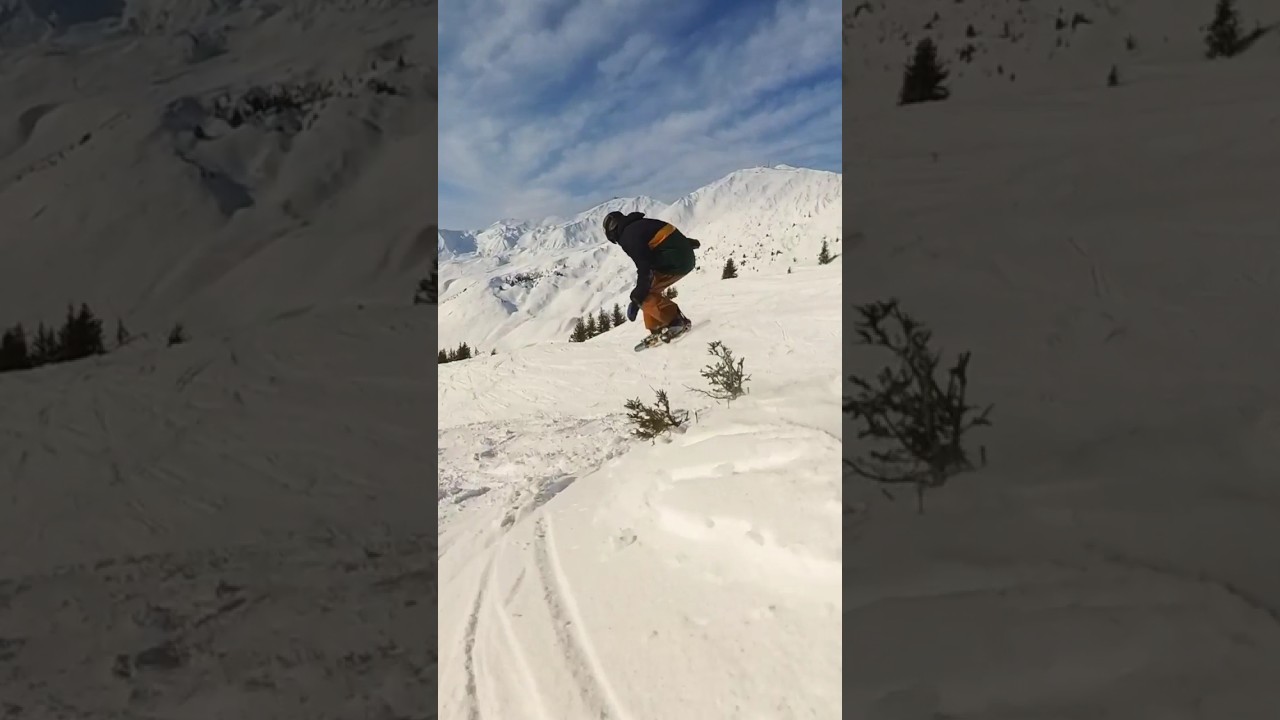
{"points": [[1017, 48]]}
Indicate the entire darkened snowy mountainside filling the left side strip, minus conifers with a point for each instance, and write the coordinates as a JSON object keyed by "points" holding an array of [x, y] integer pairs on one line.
{"points": [[232, 527]]}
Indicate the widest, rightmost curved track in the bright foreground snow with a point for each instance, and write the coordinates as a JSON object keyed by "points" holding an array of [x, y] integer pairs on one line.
{"points": [[593, 686]]}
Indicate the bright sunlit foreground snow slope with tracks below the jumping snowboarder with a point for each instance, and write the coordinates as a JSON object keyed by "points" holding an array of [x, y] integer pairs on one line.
{"points": [[587, 575]]}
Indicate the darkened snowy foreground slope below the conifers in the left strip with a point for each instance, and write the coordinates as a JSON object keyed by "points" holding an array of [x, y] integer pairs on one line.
{"points": [[222, 530]]}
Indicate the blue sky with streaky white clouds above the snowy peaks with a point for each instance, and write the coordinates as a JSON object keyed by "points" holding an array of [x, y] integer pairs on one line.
{"points": [[550, 107]]}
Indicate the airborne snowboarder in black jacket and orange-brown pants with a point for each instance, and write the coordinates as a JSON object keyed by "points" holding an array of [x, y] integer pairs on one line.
{"points": [[662, 256]]}
